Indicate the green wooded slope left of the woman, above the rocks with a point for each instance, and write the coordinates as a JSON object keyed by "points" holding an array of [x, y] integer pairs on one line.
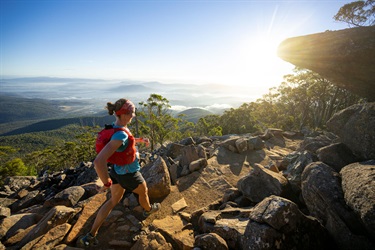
{"points": [[66, 147]]}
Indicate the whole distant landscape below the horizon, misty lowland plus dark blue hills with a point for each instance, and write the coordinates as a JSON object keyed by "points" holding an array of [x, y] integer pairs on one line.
{"points": [[28, 101]]}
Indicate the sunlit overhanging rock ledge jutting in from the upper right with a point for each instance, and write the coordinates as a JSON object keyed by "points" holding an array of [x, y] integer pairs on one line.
{"points": [[345, 57]]}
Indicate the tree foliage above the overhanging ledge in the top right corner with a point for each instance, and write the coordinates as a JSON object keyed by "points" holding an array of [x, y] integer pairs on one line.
{"points": [[358, 13]]}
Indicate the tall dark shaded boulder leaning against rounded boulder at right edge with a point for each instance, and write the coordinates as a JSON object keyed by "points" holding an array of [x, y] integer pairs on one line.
{"points": [[324, 198]]}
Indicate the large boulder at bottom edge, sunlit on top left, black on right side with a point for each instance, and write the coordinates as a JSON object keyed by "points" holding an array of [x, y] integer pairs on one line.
{"points": [[277, 223]]}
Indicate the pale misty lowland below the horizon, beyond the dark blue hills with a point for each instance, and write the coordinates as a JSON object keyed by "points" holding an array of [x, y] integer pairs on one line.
{"points": [[96, 92]]}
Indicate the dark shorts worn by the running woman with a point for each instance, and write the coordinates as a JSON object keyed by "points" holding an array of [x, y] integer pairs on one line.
{"points": [[128, 181]]}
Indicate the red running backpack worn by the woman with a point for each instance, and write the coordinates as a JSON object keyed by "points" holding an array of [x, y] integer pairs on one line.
{"points": [[120, 158]]}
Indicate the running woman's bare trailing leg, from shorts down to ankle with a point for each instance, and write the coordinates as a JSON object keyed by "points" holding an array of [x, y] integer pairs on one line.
{"points": [[116, 194]]}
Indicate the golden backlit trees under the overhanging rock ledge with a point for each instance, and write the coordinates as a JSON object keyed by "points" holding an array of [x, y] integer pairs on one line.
{"points": [[303, 99]]}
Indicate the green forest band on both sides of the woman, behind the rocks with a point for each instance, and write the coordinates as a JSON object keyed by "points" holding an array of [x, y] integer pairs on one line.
{"points": [[304, 101]]}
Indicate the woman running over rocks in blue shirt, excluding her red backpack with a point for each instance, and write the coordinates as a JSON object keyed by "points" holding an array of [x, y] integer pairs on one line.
{"points": [[121, 177]]}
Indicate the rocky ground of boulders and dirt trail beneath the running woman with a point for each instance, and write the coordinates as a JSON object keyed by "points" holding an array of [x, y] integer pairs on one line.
{"points": [[228, 192]]}
